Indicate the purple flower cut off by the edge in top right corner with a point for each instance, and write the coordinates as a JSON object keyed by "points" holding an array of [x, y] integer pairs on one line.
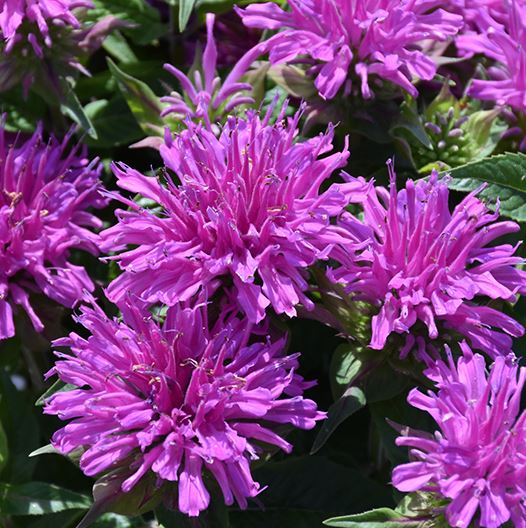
{"points": [[504, 43]]}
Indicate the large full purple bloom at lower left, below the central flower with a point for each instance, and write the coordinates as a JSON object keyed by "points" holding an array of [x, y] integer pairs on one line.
{"points": [[177, 400]]}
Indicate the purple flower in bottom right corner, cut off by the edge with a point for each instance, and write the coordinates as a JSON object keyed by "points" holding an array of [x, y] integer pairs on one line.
{"points": [[477, 459]]}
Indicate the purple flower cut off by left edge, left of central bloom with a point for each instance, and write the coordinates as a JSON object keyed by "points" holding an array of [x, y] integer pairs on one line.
{"points": [[44, 196]]}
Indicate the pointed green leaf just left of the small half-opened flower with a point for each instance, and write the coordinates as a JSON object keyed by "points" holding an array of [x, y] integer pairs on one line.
{"points": [[141, 99]]}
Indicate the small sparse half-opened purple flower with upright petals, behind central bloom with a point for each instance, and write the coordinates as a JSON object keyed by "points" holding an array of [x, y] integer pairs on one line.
{"points": [[205, 99]]}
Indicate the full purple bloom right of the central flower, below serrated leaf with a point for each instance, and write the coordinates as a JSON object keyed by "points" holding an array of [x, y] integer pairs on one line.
{"points": [[418, 262]]}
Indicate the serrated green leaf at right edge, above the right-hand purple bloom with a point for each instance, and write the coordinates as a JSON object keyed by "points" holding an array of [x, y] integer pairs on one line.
{"points": [[506, 176]]}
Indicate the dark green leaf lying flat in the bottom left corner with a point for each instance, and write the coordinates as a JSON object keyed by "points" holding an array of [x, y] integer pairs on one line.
{"points": [[38, 498]]}
